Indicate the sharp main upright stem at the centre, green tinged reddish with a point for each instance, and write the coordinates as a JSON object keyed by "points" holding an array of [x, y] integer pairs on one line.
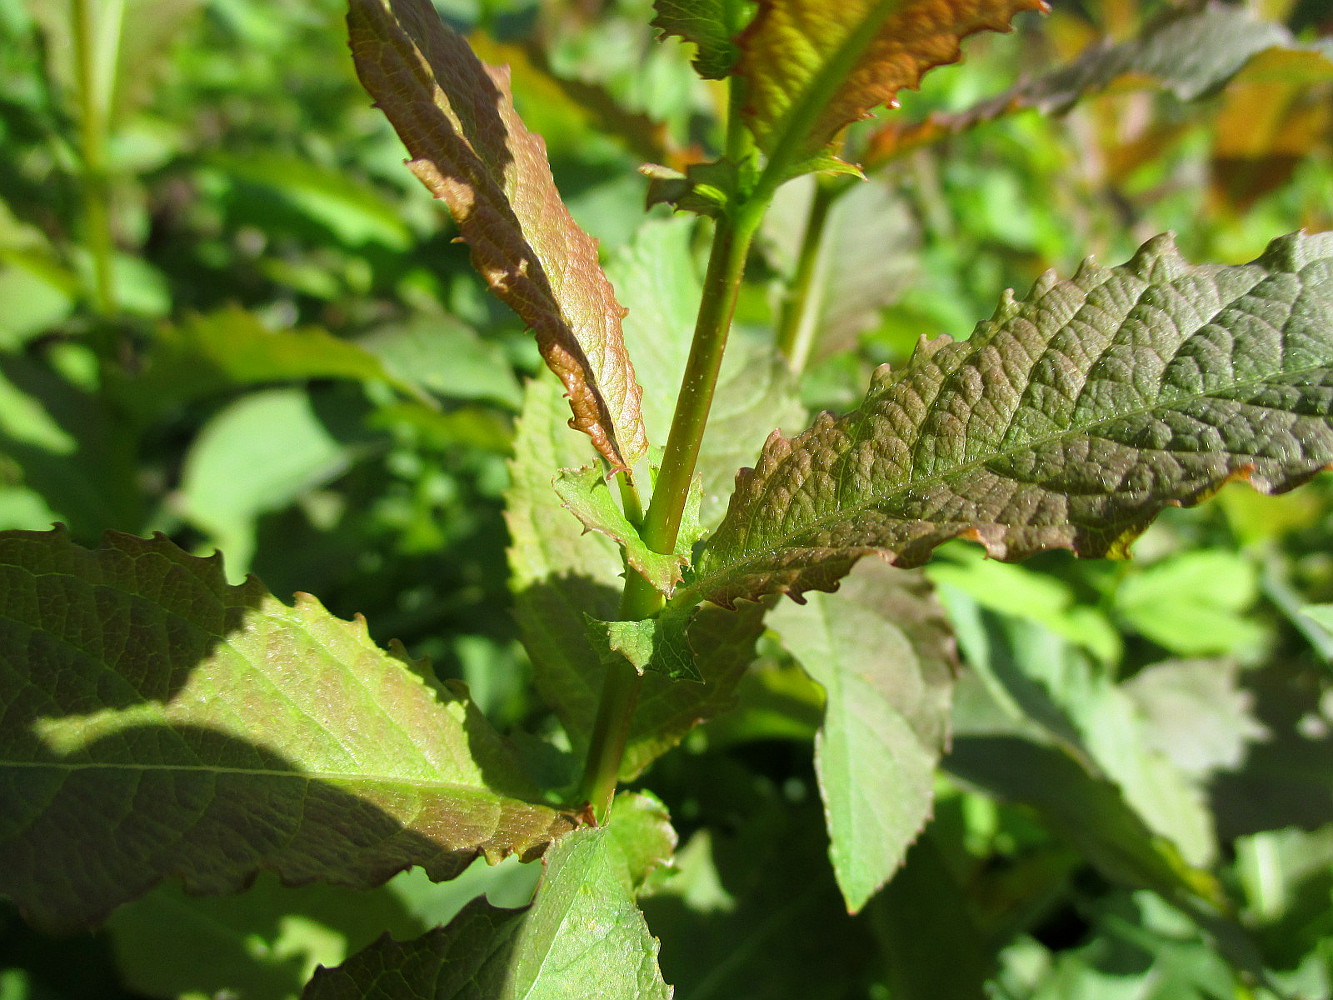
{"points": [[662, 523]]}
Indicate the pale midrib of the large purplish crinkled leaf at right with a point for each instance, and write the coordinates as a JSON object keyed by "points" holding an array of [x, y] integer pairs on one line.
{"points": [[699, 589]]}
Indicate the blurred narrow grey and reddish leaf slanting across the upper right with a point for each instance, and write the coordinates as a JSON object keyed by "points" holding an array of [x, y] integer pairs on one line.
{"points": [[1187, 53]]}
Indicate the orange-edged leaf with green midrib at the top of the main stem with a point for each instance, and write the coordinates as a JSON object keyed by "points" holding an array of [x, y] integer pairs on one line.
{"points": [[815, 67]]}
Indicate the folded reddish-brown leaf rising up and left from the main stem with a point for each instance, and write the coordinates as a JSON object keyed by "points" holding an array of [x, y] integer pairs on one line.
{"points": [[471, 149]]}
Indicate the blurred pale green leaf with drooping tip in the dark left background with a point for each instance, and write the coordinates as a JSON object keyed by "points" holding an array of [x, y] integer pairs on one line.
{"points": [[259, 455]]}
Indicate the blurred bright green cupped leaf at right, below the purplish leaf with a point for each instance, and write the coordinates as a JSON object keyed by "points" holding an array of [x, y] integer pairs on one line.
{"points": [[1194, 603]]}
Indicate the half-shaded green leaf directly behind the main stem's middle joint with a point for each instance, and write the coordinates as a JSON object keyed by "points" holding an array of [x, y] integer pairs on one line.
{"points": [[559, 578]]}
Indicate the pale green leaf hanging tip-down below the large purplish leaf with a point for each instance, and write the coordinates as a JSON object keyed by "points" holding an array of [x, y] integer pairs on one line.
{"points": [[884, 655]]}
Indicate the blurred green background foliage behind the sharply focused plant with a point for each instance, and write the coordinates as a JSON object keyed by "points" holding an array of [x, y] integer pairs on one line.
{"points": [[233, 317]]}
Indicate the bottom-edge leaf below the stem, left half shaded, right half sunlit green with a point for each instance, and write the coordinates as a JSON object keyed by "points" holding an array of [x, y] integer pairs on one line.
{"points": [[583, 937]]}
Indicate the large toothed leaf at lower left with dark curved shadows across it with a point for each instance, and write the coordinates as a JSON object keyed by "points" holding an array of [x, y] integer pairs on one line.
{"points": [[161, 723]]}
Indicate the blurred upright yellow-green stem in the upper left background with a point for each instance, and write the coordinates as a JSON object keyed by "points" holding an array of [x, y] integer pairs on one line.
{"points": [[93, 86]]}
